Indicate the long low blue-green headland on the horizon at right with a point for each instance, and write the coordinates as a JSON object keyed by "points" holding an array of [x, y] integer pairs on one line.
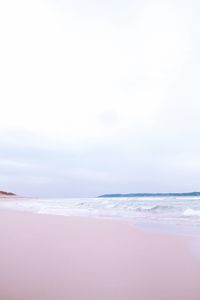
{"points": [[192, 194]]}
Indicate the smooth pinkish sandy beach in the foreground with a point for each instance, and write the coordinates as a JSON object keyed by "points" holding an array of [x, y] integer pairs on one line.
{"points": [[65, 258]]}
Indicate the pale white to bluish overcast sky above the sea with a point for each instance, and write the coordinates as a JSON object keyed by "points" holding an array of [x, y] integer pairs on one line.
{"points": [[99, 97]]}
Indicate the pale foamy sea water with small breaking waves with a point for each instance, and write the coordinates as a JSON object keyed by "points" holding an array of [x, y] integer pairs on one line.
{"points": [[178, 214]]}
